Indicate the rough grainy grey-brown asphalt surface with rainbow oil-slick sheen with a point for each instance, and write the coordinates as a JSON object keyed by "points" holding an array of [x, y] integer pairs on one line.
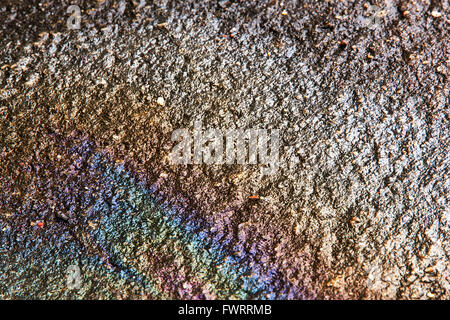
{"points": [[358, 209]]}
